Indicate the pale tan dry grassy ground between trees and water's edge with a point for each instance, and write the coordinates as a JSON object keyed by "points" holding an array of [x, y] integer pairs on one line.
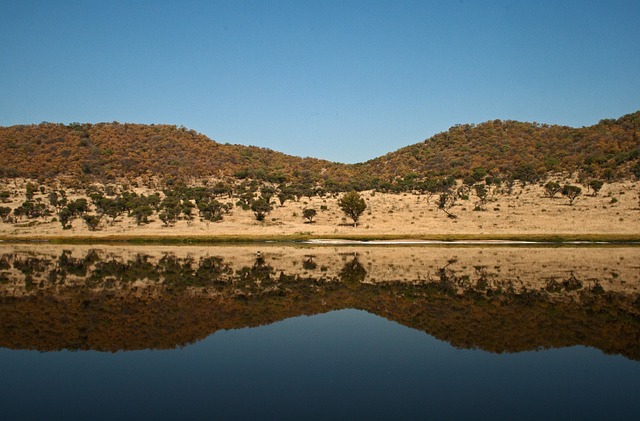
{"points": [[614, 211]]}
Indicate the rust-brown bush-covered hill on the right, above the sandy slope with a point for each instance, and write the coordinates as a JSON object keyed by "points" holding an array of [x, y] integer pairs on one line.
{"points": [[525, 151]]}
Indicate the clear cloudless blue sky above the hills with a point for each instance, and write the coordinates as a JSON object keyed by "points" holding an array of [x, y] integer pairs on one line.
{"points": [[341, 80]]}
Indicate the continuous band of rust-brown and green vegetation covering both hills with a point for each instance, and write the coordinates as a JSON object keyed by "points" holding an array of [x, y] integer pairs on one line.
{"points": [[106, 152]]}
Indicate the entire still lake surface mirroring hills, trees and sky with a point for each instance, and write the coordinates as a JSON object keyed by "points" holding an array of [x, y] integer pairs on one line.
{"points": [[383, 333]]}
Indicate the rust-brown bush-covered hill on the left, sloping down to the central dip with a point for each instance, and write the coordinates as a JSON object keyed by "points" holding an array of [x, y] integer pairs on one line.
{"points": [[108, 151]]}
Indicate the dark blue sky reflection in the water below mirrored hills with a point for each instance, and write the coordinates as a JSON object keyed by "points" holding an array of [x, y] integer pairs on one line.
{"points": [[339, 365]]}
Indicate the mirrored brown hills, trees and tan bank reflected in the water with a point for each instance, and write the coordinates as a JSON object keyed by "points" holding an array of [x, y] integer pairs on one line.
{"points": [[499, 299]]}
